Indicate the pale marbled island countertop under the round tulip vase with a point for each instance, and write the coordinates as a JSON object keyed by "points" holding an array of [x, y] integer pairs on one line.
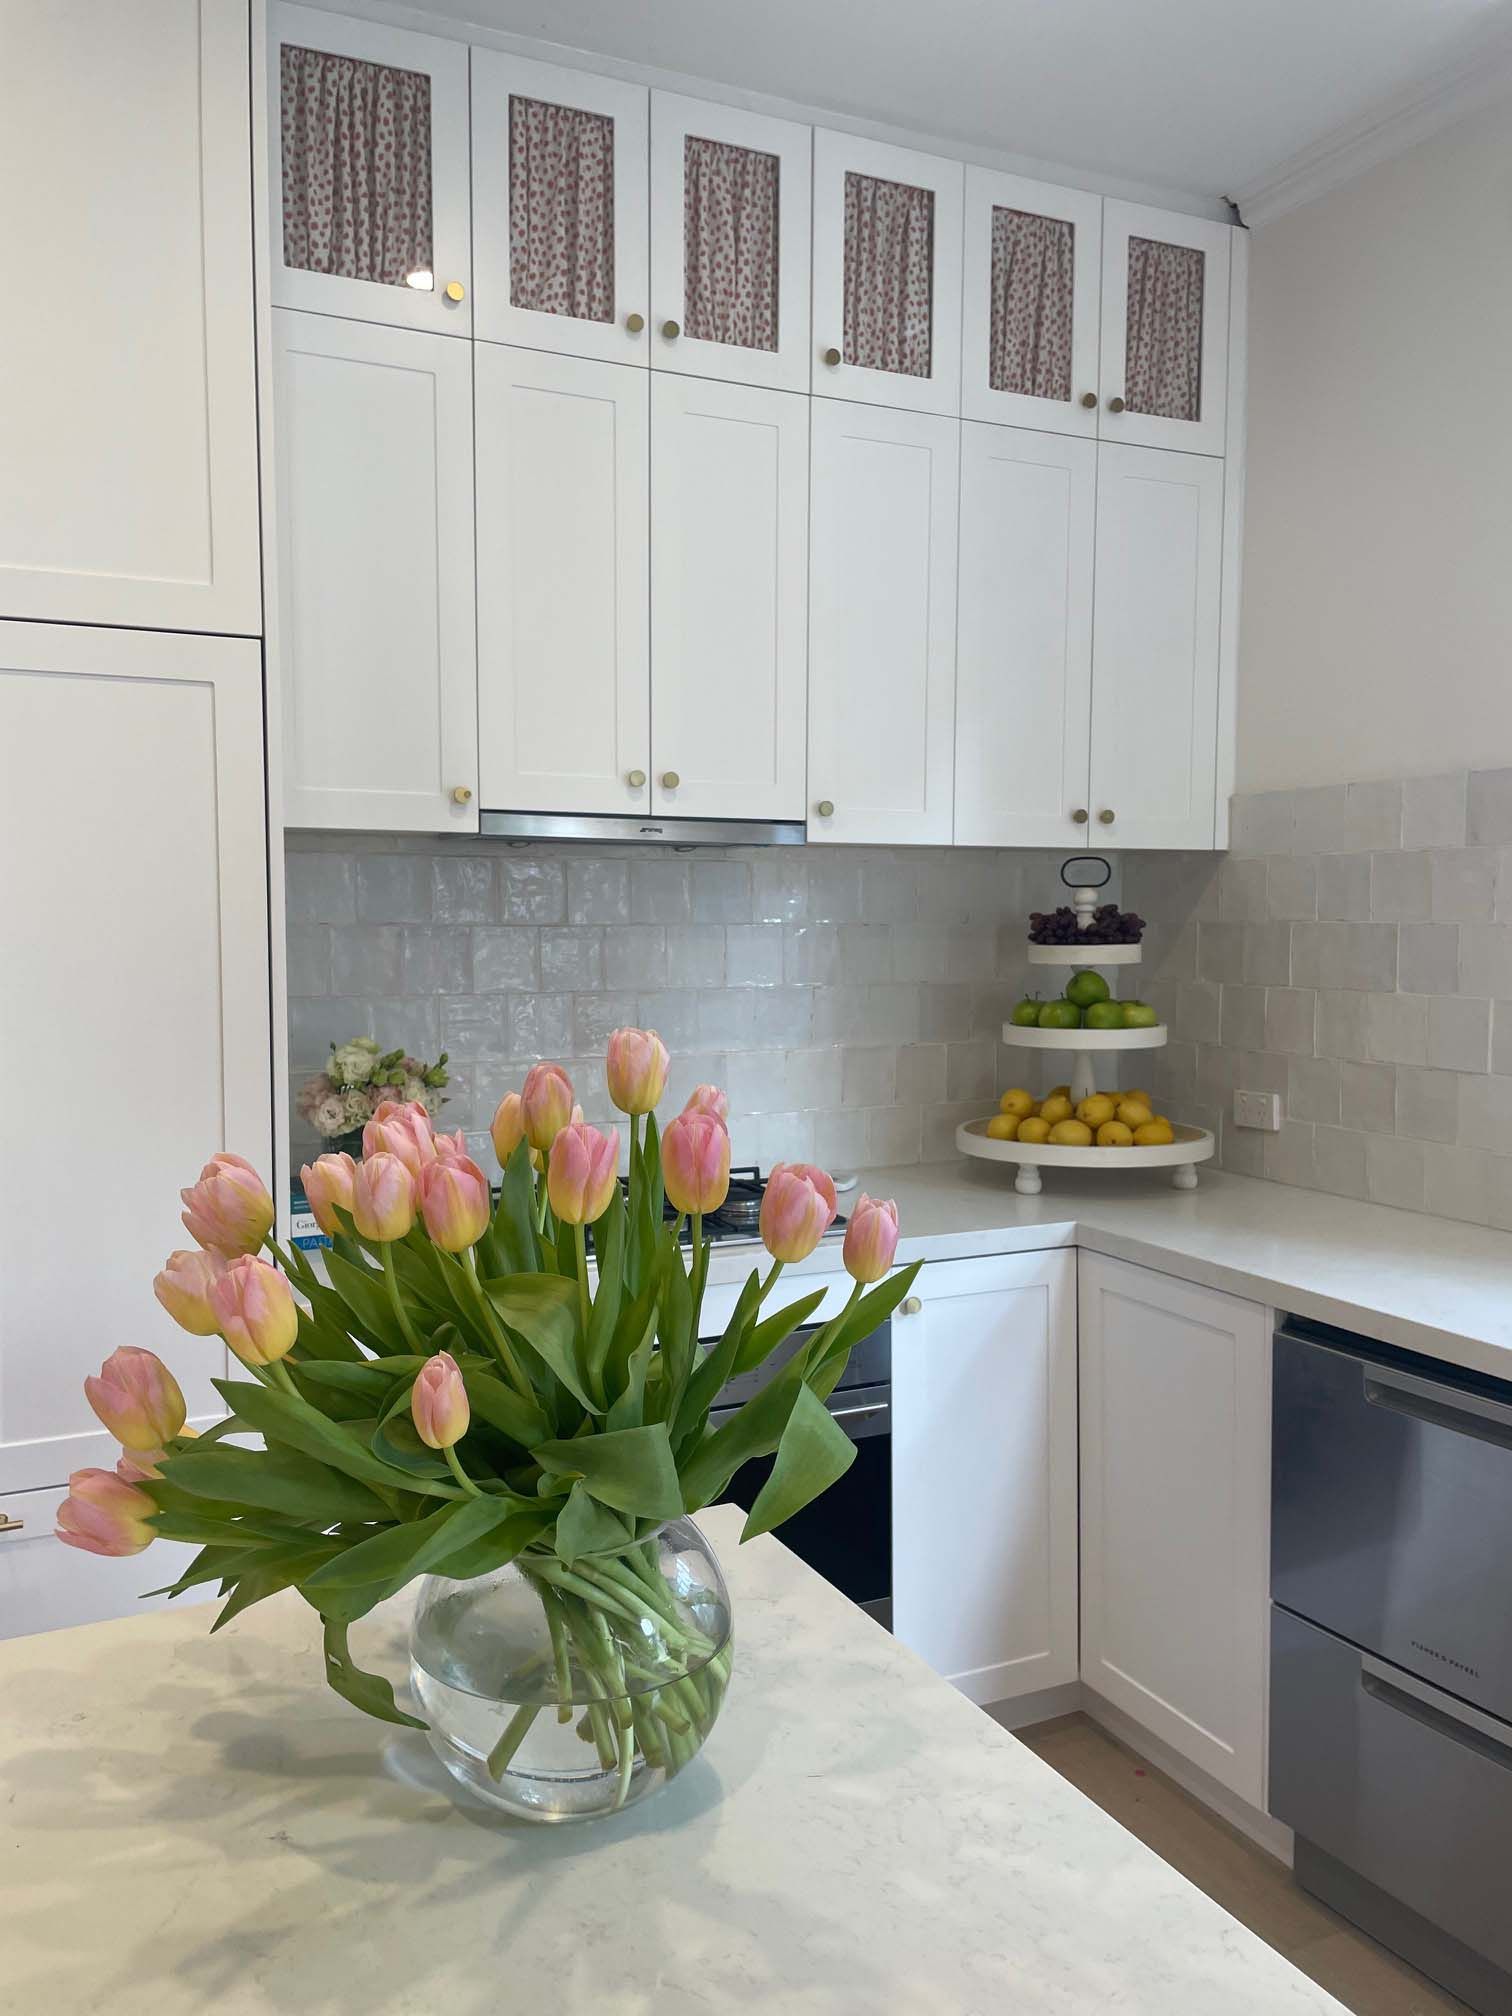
{"points": [[201, 1825]]}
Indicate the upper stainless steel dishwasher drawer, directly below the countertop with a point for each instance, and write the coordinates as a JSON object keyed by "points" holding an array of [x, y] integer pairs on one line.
{"points": [[1392, 1511]]}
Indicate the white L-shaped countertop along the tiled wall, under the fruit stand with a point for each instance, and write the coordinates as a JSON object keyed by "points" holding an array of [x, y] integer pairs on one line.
{"points": [[1406, 1279]]}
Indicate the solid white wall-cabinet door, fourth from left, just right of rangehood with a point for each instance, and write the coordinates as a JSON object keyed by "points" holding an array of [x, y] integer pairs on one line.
{"points": [[882, 630]]}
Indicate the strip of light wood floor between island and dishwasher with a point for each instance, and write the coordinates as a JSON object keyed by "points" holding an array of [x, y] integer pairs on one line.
{"points": [[1237, 1874]]}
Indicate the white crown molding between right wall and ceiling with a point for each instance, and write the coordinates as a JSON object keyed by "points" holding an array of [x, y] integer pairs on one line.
{"points": [[1396, 124]]}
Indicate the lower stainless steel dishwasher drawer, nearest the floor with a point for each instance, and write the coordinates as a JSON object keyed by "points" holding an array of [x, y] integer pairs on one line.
{"points": [[1402, 1805]]}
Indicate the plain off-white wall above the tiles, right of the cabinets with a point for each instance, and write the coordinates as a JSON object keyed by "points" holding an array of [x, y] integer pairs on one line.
{"points": [[1378, 565]]}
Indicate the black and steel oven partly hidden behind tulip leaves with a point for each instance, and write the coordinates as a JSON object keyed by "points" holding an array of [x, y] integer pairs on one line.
{"points": [[848, 1533]]}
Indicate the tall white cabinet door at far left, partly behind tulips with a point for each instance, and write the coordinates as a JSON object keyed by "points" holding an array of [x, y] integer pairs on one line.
{"points": [[134, 985]]}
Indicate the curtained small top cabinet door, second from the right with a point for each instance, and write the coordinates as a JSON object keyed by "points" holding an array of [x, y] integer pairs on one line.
{"points": [[1031, 328]]}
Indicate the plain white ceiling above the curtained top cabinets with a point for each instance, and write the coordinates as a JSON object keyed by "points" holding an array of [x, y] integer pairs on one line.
{"points": [[1199, 96]]}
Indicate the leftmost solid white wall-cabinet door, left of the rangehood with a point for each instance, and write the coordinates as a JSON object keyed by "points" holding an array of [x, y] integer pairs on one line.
{"points": [[376, 576]]}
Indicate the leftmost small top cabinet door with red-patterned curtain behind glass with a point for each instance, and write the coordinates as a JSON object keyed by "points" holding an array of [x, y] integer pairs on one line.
{"points": [[370, 172]]}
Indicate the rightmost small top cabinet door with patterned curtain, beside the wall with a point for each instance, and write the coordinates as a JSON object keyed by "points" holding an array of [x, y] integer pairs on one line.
{"points": [[1164, 330]]}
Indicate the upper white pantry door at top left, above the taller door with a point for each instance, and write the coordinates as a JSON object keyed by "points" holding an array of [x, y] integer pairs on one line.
{"points": [[128, 396]]}
